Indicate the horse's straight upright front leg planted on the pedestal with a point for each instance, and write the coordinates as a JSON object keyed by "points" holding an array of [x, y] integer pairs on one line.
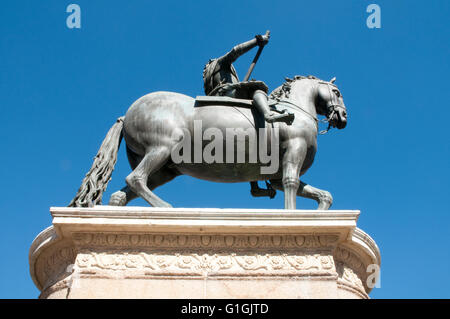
{"points": [[291, 164]]}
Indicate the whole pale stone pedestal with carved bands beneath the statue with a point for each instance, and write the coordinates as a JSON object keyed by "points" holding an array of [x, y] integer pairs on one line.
{"points": [[136, 252]]}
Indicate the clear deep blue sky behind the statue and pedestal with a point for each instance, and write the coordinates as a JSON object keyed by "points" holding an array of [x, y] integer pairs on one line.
{"points": [[62, 89]]}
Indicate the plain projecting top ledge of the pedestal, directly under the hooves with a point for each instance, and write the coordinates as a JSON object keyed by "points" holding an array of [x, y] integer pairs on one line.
{"points": [[111, 218]]}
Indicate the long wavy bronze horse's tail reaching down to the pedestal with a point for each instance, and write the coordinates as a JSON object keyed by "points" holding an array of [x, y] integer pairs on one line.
{"points": [[95, 182]]}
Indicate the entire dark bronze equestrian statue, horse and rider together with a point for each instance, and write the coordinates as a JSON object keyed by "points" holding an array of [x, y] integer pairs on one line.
{"points": [[160, 124]]}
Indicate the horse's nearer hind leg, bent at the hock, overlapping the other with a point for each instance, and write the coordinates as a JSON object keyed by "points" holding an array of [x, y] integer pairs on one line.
{"points": [[151, 163]]}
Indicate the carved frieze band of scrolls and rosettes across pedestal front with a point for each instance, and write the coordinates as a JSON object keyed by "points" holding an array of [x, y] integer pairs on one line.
{"points": [[208, 263]]}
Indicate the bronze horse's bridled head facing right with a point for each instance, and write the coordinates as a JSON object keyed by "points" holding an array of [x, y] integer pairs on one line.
{"points": [[329, 102]]}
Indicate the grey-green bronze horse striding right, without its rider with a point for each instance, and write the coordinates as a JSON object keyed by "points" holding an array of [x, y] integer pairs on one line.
{"points": [[151, 129]]}
